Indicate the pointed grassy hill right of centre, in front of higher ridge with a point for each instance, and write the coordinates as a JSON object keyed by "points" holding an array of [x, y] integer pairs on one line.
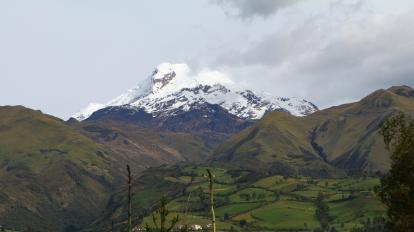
{"points": [[279, 142]]}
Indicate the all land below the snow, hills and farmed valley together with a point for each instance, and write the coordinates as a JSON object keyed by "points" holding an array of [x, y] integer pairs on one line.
{"points": [[271, 174]]}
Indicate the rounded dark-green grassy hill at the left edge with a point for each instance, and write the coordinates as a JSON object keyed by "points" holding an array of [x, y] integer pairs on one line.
{"points": [[52, 178]]}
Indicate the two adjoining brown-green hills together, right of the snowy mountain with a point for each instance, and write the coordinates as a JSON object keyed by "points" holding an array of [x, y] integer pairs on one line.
{"points": [[339, 138]]}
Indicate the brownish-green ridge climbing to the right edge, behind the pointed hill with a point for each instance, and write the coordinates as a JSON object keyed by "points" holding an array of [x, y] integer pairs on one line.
{"points": [[349, 133]]}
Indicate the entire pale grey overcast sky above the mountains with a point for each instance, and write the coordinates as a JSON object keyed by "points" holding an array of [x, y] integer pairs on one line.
{"points": [[58, 56]]}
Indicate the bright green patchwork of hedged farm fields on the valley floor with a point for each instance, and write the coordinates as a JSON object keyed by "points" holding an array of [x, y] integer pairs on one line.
{"points": [[273, 203]]}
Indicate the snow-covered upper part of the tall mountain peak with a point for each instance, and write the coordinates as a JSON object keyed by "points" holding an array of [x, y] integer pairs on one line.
{"points": [[172, 88]]}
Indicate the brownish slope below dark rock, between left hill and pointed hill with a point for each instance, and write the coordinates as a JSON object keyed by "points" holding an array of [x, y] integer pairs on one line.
{"points": [[142, 147]]}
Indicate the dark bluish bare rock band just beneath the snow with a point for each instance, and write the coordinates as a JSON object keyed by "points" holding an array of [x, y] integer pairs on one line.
{"points": [[208, 121]]}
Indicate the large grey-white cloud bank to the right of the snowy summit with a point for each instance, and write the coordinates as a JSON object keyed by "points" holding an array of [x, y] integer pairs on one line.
{"points": [[341, 53]]}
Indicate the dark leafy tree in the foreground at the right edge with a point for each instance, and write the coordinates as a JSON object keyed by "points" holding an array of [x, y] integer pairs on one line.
{"points": [[397, 186]]}
